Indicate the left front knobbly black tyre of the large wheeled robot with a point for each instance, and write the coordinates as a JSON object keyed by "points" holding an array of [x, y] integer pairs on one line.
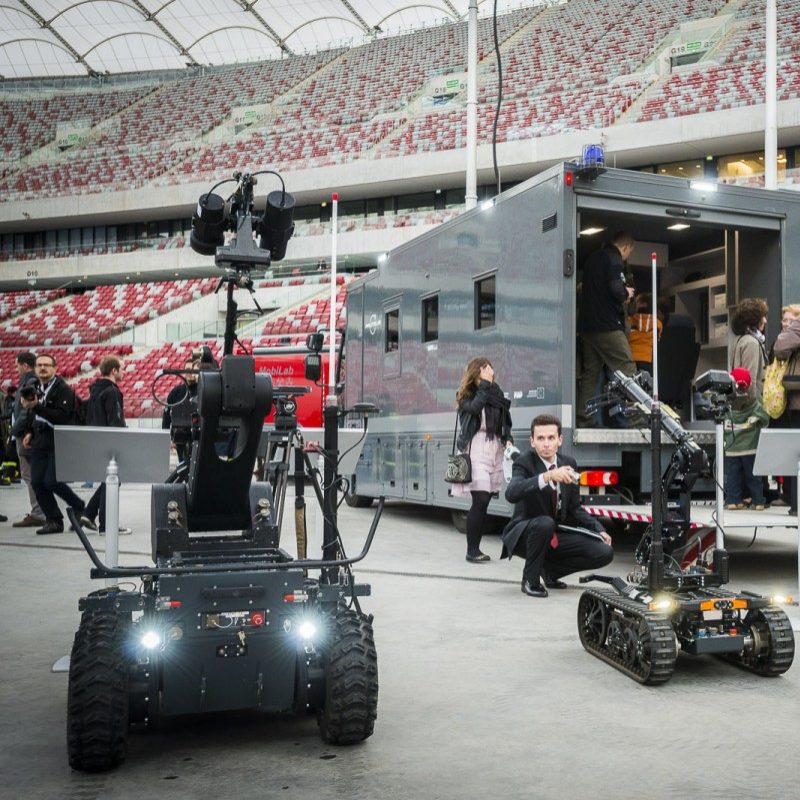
{"points": [[97, 700]]}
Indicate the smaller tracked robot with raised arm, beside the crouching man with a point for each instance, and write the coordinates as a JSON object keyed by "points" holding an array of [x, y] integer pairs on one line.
{"points": [[637, 625]]}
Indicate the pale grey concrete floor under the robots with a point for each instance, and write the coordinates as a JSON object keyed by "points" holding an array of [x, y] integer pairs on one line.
{"points": [[483, 691]]}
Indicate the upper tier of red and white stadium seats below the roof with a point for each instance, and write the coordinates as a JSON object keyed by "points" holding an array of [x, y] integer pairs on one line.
{"points": [[566, 66]]}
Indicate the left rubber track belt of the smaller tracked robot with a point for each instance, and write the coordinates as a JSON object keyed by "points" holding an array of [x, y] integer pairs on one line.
{"points": [[663, 650]]}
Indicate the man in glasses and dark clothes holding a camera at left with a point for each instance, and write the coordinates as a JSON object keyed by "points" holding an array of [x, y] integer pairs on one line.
{"points": [[50, 403]]}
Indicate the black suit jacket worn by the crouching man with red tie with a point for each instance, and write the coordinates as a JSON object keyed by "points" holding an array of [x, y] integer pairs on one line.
{"points": [[530, 501]]}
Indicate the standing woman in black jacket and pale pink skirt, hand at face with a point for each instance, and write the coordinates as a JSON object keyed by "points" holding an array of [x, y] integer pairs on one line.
{"points": [[485, 428]]}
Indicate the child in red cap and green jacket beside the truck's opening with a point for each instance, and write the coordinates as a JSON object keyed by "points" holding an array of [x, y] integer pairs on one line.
{"points": [[741, 429]]}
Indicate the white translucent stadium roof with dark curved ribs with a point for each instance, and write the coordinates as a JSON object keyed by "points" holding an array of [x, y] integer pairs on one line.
{"points": [[62, 38]]}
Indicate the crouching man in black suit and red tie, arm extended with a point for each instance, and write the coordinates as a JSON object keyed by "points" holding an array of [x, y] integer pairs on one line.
{"points": [[544, 490]]}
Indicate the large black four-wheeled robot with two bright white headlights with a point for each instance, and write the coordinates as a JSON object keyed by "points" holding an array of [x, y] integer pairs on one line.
{"points": [[232, 621]]}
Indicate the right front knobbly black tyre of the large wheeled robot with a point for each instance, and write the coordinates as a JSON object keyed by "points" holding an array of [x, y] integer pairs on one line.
{"points": [[350, 704]]}
